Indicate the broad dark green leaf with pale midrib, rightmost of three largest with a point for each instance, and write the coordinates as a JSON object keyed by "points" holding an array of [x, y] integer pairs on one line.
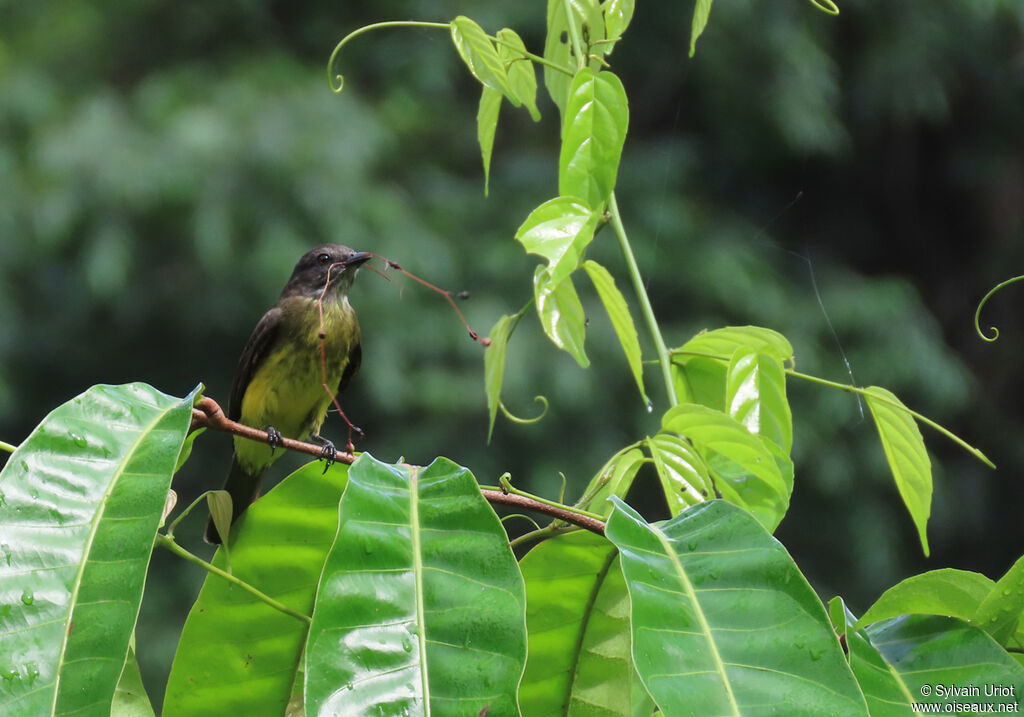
{"points": [[723, 622]]}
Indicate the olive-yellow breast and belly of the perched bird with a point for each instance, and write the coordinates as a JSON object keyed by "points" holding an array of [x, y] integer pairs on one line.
{"points": [[287, 390]]}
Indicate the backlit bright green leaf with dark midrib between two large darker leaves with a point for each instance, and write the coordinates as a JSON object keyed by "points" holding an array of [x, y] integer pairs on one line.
{"points": [[579, 624]]}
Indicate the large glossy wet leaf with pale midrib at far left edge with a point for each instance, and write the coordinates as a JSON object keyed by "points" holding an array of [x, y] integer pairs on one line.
{"points": [[80, 502]]}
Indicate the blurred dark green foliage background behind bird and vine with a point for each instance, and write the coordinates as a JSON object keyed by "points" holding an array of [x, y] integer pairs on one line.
{"points": [[163, 165]]}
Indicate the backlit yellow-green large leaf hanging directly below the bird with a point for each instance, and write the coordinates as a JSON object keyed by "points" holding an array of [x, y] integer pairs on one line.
{"points": [[239, 656]]}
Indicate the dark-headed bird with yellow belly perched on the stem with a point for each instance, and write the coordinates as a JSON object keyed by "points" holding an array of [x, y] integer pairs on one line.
{"points": [[279, 382]]}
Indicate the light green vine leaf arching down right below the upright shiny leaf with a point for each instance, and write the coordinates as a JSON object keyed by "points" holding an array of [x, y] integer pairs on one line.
{"points": [[749, 473]]}
